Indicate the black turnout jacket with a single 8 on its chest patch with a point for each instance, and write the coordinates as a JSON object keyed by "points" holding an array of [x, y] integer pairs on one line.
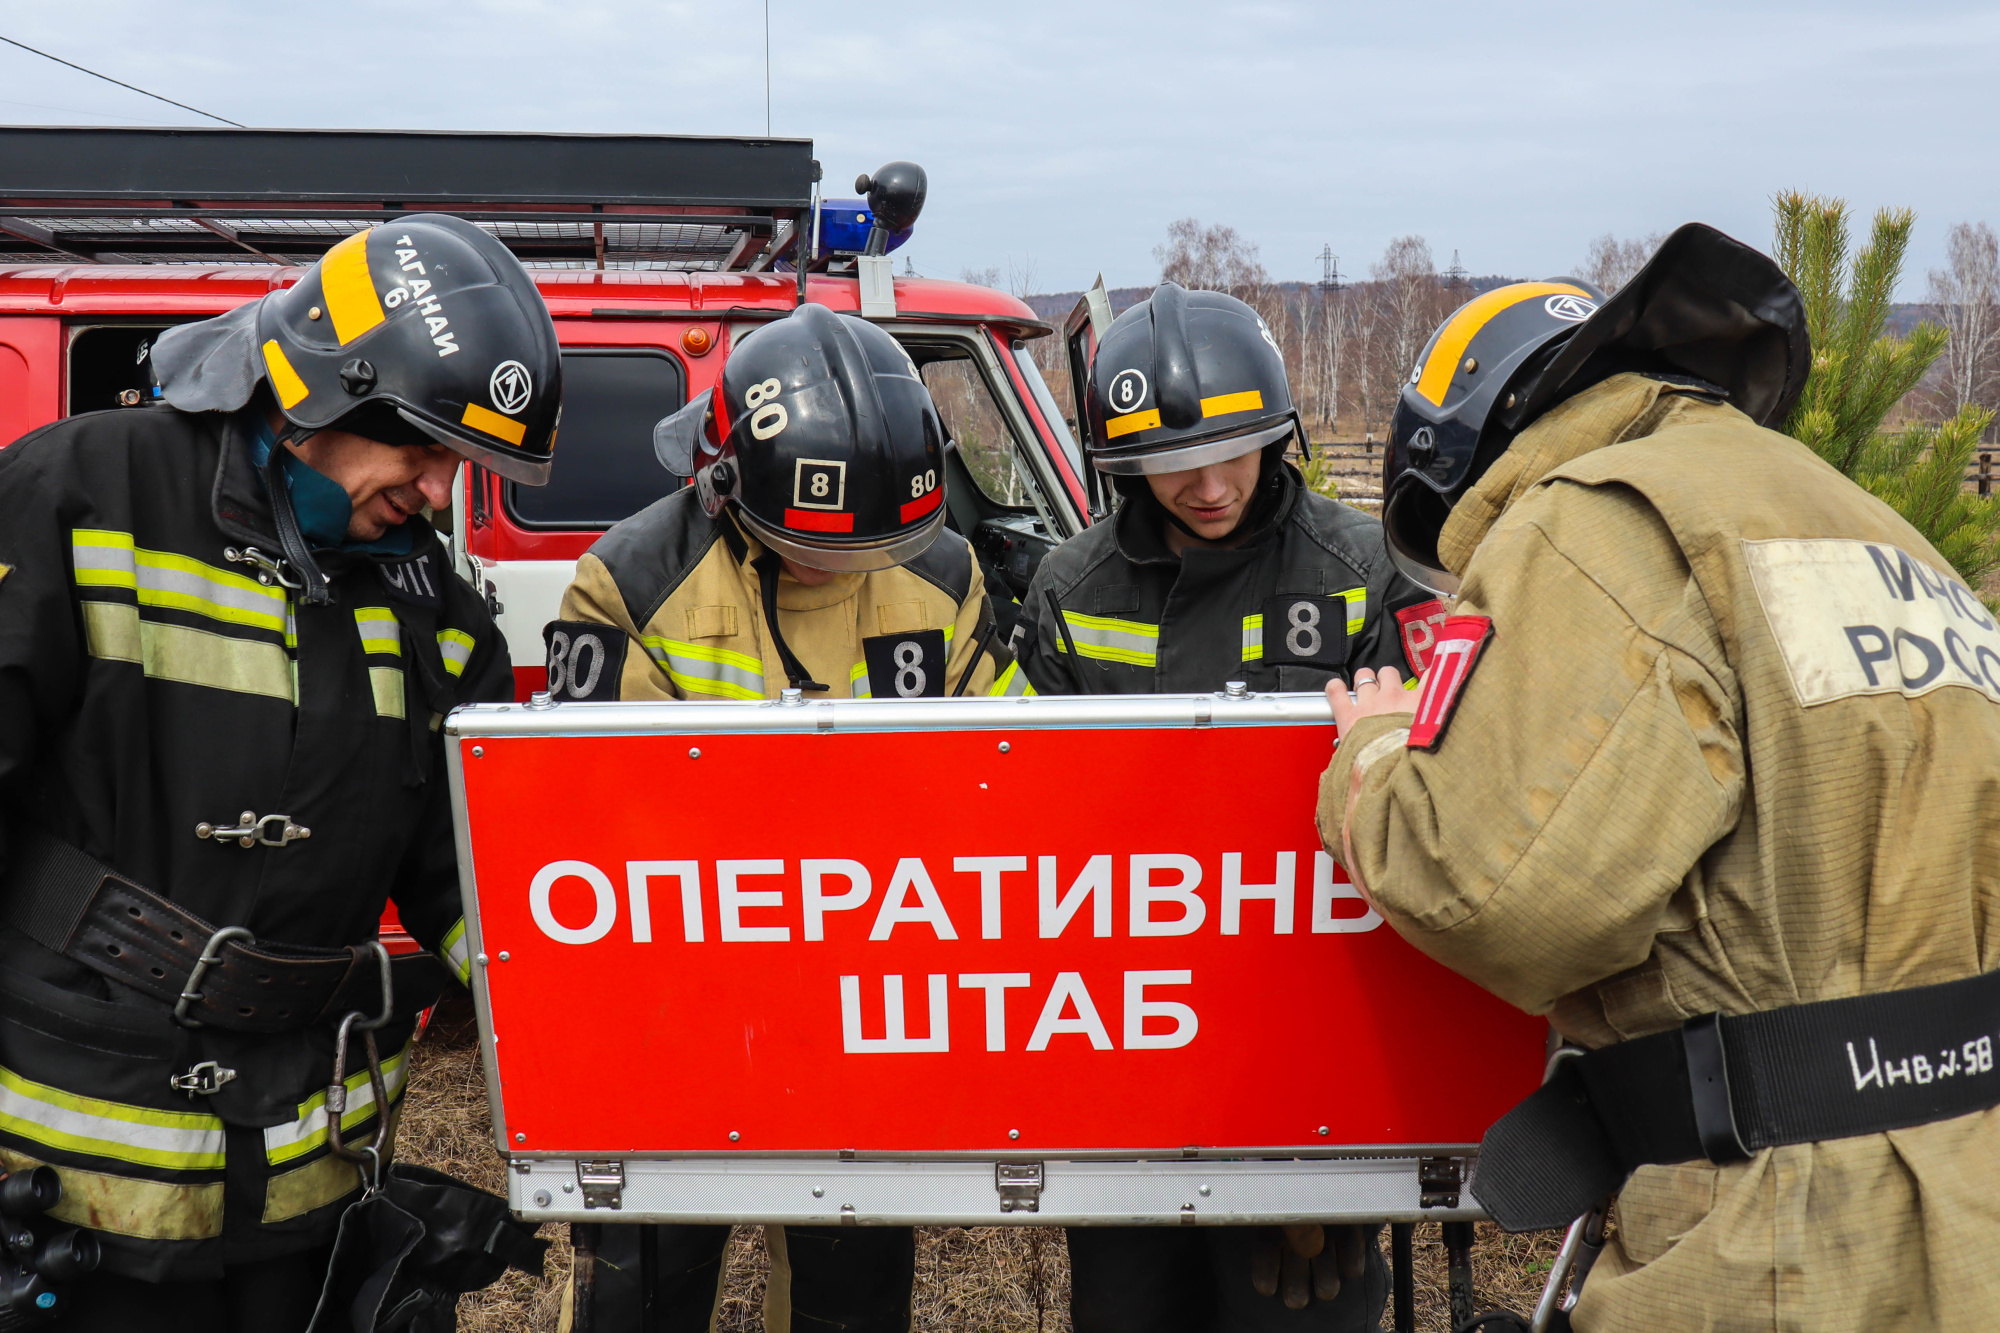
{"points": [[1307, 597]]}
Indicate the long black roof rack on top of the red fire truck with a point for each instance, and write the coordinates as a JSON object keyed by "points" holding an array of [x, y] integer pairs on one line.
{"points": [[285, 197]]}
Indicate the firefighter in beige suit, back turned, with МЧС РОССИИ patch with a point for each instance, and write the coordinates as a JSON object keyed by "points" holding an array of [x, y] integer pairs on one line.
{"points": [[1705, 768]]}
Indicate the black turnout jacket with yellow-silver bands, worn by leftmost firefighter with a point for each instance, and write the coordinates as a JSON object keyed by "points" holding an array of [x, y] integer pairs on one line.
{"points": [[151, 684]]}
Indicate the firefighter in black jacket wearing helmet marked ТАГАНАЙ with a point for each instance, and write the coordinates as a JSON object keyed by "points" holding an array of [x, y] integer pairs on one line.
{"points": [[227, 641]]}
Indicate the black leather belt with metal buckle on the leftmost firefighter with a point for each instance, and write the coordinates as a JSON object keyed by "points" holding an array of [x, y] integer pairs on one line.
{"points": [[83, 910]]}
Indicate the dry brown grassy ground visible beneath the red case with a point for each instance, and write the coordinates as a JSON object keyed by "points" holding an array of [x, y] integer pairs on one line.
{"points": [[969, 1280]]}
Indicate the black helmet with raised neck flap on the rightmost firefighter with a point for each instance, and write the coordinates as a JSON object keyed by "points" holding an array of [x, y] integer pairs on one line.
{"points": [[1705, 311]]}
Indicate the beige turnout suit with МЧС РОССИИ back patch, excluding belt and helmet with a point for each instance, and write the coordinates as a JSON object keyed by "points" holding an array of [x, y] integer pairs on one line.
{"points": [[1733, 746]]}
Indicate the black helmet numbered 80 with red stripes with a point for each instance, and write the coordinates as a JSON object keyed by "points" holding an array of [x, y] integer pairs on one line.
{"points": [[823, 437]]}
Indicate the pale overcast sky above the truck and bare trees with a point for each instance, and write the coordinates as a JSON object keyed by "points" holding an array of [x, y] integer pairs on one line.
{"points": [[1063, 137]]}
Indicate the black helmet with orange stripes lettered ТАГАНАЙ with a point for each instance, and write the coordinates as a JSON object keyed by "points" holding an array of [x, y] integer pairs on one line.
{"points": [[417, 331]]}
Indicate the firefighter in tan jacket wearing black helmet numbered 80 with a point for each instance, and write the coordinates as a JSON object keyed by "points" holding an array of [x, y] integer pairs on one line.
{"points": [[809, 555]]}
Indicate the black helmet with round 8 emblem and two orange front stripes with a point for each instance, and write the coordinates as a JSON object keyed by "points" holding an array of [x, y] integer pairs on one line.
{"points": [[1187, 379]]}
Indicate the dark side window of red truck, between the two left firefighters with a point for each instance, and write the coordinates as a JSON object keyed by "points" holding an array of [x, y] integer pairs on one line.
{"points": [[605, 469]]}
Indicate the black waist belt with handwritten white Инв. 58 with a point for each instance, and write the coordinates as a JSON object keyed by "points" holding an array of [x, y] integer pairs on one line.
{"points": [[1725, 1088]]}
